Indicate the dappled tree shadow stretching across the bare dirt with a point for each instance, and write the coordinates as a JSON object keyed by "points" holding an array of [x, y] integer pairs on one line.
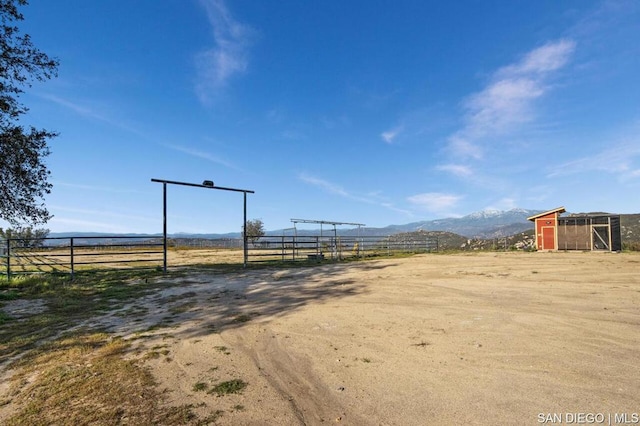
{"points": [[205, 302]]}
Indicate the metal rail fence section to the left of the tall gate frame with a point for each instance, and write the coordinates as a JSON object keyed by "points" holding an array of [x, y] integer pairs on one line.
{"points": [[20, 256]]}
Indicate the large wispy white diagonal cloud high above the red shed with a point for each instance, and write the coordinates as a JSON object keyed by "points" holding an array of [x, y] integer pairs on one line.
{"points": [[508, 100]]}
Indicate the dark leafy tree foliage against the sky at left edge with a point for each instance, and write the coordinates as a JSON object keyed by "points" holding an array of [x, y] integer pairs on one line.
{"points": [[23, 173]]}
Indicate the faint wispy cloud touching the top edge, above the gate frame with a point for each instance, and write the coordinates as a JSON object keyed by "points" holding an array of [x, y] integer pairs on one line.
{"points": [[228, 56]]}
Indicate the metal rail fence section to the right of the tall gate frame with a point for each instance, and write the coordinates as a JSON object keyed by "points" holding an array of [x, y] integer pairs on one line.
{"points": [[304, 248]]}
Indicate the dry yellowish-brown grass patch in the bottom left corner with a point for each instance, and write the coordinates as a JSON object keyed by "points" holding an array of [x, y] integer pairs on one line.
{"points": [[87, 379]]}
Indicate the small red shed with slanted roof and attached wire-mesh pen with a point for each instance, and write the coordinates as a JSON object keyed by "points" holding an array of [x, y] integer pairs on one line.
{"points": [[586, 232]]}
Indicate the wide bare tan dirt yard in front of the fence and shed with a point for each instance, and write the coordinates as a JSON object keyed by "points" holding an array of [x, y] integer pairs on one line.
{"points": [[483, 338]]}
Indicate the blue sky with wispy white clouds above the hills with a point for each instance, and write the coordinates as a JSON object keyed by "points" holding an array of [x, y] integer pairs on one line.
{"points": [[384, 112]]}
